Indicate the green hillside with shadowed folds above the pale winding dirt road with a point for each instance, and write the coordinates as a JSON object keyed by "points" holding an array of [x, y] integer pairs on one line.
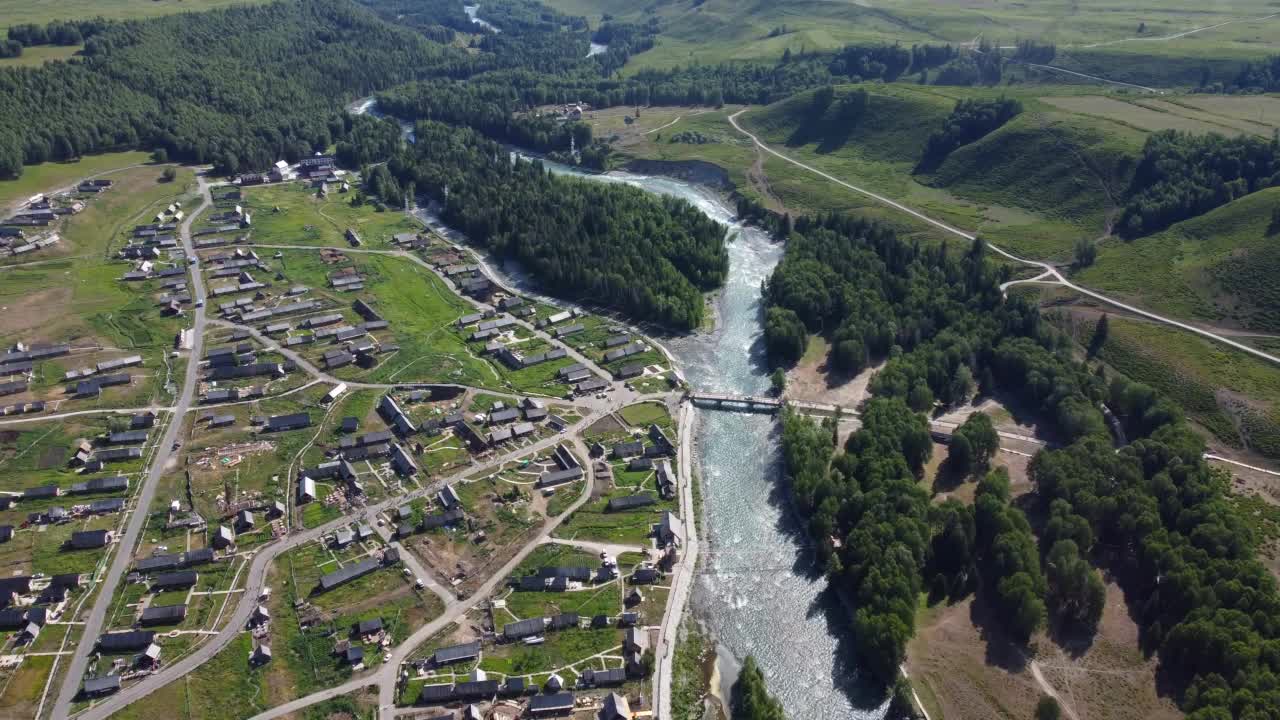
{"points": [[1037, 185]]}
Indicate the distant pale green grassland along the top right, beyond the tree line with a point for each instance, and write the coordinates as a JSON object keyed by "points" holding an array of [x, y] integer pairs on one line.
{"points": [[1098, 37]]}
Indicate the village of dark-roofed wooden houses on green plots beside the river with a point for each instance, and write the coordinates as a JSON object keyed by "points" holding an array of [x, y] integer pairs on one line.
{"points": [[381, 439]]}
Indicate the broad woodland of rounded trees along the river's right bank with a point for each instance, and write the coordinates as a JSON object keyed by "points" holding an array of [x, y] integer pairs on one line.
{"points": [[1190, 560]]}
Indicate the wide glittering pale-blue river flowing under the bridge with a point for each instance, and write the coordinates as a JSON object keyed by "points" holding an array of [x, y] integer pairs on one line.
{"points": [[758, 591]]}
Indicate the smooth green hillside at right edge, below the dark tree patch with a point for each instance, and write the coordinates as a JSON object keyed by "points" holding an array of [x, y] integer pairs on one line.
{"points": [[1222, 267]]}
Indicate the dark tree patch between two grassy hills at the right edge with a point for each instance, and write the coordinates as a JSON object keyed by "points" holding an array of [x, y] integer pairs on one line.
{"points": [[1182, 176]]}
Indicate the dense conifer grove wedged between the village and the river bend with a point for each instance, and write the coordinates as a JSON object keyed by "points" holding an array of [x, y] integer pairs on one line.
{"points": [[606, 244]]}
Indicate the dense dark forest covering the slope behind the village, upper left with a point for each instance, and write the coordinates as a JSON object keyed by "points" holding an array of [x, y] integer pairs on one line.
{"points": [[239, 88]]}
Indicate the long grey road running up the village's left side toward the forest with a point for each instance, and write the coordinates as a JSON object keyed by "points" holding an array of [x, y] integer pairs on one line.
{"points": [[139, 518]]}
